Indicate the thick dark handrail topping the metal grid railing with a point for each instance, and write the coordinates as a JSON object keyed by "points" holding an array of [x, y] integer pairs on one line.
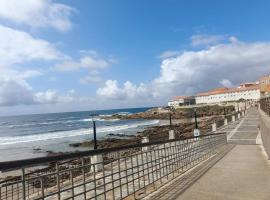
{"points": [[17, 164]]}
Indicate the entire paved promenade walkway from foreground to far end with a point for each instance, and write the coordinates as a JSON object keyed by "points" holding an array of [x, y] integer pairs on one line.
{"points": [[242, 174]]}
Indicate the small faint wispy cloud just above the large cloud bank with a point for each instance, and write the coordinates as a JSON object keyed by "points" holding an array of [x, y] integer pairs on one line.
{"points": [[201, 40]]}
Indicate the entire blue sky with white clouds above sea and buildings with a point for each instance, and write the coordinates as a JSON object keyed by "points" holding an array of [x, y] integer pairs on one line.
{"points": [[61, 56]]}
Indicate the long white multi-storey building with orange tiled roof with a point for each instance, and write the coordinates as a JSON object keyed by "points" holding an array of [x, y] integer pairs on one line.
{"points": [[246, 91]]}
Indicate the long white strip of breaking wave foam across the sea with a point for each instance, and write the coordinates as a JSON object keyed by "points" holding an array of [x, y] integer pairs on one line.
{"points": [[65, 134]]}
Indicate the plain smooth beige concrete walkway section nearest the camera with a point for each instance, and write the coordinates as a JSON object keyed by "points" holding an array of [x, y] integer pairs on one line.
{"points": [[243, 174]]}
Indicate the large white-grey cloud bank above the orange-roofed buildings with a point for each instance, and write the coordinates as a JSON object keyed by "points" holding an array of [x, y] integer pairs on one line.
{"points": [[190, 72]]}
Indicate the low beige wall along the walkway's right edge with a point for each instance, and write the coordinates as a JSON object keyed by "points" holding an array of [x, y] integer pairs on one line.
{"points": [[265, 131]]}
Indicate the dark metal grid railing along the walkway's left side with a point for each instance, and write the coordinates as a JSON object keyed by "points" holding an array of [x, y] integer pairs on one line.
{"points": [[114, 173]]}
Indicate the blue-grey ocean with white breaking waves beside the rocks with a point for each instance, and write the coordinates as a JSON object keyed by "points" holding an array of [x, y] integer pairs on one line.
{"points": [[31, 136]]}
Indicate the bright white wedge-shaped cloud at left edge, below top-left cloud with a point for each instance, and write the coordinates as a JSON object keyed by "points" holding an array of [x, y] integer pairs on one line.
{"points": [[18, 47]]}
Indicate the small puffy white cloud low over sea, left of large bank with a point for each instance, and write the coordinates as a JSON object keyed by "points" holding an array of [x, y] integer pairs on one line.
{"points": [[111, 90]]}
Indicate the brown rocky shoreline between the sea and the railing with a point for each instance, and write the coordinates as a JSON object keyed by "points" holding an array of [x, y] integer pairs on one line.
{"points": [[206, 116]]}
